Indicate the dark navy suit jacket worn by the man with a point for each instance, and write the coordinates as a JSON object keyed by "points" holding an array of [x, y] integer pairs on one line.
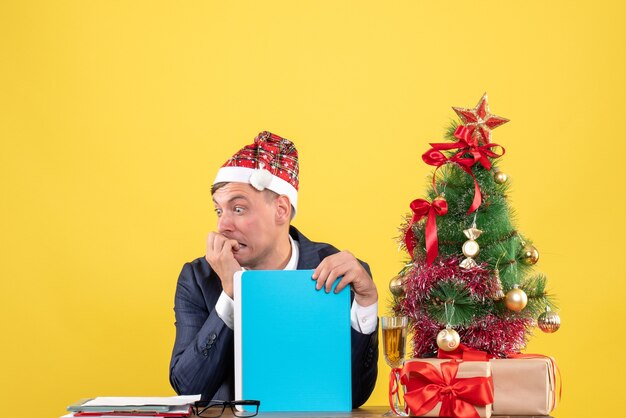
{"points": [[203, 355]]}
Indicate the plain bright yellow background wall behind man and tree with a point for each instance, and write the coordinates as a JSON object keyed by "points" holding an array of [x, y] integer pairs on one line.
{"points": [[115, 115]]}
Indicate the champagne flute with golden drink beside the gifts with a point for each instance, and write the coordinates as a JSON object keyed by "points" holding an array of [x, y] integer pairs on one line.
{"points": [[394, 346]]}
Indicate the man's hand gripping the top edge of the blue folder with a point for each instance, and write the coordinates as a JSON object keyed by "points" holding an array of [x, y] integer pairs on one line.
{"points": [[346, 265]]}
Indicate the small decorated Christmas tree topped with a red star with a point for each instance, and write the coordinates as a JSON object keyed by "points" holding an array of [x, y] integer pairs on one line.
{"points": [[470, 278]]}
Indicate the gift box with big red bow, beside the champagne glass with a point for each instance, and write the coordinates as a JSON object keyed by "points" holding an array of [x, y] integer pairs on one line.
{"points": [[450, 388]]}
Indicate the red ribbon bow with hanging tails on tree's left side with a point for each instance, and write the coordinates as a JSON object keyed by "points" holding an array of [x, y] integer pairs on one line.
{"points": [[421, 208]]}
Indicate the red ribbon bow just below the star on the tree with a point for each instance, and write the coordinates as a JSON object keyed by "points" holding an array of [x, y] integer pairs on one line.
{"points": [[466, 144]]}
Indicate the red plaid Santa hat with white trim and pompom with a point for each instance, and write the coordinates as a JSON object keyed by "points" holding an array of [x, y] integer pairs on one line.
{"points": [[270, 163]]}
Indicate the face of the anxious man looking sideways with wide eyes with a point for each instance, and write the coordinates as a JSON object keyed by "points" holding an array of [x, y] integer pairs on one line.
{"points": [[249, 217]]}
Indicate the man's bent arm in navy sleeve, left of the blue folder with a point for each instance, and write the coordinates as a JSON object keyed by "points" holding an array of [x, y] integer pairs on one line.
{"points": [[203, 351]]}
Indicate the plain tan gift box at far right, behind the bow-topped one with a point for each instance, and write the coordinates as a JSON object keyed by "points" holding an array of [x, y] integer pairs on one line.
{"points": [[524, 386]]}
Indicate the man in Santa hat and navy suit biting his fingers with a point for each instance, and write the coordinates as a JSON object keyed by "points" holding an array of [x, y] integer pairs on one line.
{"points": [[255, 195]]}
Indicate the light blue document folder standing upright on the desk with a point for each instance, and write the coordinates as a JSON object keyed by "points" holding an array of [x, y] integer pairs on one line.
{"points": [[292, 342]]}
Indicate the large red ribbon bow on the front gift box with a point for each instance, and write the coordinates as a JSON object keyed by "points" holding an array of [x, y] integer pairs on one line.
{"points": [[427, 386]]}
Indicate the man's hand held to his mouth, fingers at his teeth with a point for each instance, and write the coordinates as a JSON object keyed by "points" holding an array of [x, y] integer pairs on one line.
{"points": [[219, 254]]}
